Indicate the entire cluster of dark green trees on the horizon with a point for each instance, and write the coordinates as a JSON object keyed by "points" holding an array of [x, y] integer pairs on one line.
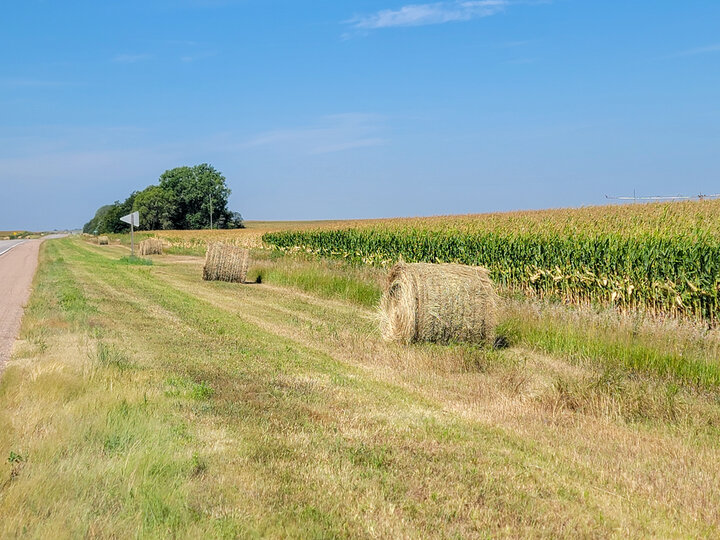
{"points": [[185, 198]]}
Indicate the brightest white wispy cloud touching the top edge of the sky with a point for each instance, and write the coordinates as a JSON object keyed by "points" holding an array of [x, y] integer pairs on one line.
{"points": [[425, 14]]}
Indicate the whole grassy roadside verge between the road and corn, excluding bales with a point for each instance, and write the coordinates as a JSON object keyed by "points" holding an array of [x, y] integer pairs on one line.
{"points": [[142, 401]]}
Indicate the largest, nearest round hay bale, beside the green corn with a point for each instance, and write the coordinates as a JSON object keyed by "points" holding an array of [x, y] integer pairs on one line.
{"points": [[439, 303]]}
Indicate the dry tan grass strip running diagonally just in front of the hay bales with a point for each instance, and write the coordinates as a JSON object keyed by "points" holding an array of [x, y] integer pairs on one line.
{"points": [[619, 419]]}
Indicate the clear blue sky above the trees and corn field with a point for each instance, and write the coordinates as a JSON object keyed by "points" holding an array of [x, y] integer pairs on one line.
{"points": [[357, 109]]}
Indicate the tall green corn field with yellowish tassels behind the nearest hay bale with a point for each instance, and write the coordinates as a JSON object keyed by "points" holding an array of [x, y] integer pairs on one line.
{"points": [[661, 258]]}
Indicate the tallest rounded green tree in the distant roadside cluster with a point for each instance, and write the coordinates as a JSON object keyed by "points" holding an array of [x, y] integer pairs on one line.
{"points": [[200, 192]]}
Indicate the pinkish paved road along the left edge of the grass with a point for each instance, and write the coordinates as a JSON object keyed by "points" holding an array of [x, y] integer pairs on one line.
{"points": [[18, 261]]}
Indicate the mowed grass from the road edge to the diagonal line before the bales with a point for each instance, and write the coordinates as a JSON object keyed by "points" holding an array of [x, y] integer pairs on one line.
{"points": [[136, 406]]}
